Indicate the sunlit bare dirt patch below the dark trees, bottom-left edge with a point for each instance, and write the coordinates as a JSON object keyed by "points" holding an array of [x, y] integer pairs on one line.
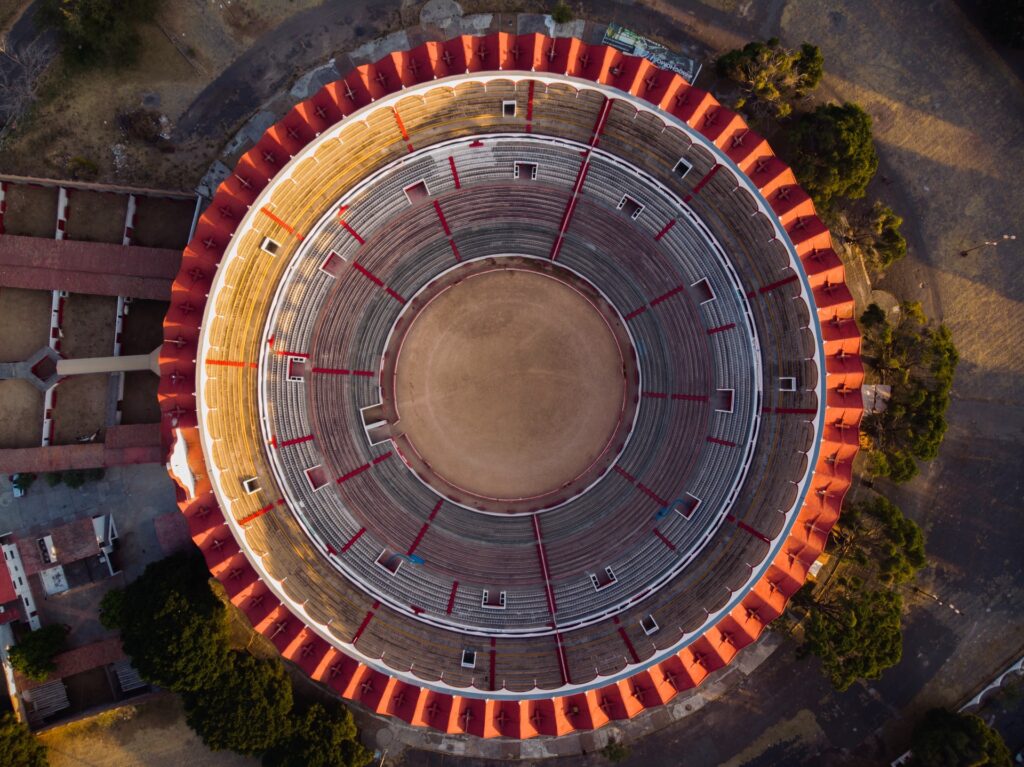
{"points": [[153, 734]]}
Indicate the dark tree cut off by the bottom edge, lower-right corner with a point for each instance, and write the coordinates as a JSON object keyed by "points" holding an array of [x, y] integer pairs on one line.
{"points": [[945, 739]]}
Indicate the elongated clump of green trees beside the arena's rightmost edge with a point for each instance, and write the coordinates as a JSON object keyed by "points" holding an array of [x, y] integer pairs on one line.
{"points": [[919, 362]]}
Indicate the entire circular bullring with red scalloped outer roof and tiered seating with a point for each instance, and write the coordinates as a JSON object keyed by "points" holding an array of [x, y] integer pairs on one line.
{"points": [[511, 386]]}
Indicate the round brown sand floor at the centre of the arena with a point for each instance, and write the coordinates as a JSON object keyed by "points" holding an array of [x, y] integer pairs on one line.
{"points": [[510, 385]]}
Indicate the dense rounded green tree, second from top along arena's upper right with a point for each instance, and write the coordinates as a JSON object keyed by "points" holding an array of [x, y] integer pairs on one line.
{"points": [[834, 153]]}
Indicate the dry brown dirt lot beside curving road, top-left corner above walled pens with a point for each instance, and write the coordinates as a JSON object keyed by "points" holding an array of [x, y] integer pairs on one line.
{"points": [[76, 118]]}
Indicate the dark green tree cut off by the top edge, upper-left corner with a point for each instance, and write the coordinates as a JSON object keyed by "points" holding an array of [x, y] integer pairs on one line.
{"points": [[97, 33]]}
